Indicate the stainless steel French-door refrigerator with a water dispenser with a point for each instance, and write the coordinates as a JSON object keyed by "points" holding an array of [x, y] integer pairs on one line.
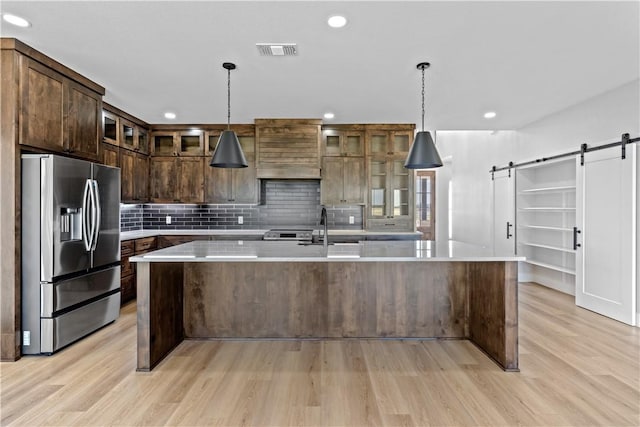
{"points": [[70, 250]]}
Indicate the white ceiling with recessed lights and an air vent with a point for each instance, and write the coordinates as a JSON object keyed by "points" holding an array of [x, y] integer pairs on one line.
{"points": [[524, 60]]}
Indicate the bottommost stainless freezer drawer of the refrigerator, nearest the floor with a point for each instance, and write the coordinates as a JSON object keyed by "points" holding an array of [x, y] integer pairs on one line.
{"points": [[63, 330]]}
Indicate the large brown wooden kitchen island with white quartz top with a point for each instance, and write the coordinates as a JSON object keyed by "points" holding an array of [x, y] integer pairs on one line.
{"points": [[370, 289]]}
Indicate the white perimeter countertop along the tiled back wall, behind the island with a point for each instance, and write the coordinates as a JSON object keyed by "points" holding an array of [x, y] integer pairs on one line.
{"points": [[138, 234]]}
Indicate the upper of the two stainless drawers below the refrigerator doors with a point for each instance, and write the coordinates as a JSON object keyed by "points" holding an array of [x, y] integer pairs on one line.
{"points": [[60, 295]]}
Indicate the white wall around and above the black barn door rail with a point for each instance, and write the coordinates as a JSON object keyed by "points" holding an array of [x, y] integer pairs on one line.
{"points": [[595, 121]]}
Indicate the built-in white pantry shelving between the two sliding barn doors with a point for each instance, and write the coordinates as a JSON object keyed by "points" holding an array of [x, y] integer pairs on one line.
{"points": [[545, 217]]}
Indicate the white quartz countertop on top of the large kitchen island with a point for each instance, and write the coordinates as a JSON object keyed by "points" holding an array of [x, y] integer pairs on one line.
{"points": [[287, 251]]}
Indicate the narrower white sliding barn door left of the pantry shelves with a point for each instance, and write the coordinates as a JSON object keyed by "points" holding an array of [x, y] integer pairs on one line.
{"points": [[504, 213]]}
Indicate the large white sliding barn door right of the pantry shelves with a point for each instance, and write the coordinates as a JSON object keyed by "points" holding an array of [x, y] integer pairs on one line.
{"points": [[606, 258]]}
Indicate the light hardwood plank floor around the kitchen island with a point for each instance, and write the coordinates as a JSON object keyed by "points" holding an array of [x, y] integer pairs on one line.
{"points": [[577, 369]]}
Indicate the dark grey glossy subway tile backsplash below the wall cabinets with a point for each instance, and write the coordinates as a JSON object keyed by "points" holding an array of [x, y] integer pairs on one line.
{"points": [[284, 203]]}
